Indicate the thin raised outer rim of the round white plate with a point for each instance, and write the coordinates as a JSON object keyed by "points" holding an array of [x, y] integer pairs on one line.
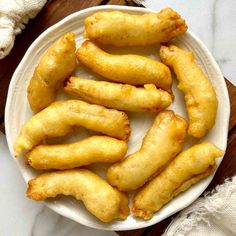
{"points": [[29, 51]]}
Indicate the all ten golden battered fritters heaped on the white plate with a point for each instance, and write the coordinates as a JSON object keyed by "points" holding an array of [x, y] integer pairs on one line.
{"points": [[160, 170]]}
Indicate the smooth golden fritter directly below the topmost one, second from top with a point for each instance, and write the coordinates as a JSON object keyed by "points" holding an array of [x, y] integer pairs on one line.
{"points": [[130, 69]]}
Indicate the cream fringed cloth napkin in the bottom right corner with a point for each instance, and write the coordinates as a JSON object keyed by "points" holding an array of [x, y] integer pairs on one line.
{"points": [[213, 215]]}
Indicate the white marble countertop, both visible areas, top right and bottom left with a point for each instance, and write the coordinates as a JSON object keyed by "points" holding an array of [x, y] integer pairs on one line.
{"points": [[213, 21]]}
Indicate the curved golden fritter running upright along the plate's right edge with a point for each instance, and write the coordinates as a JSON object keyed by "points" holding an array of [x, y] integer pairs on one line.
{"points": [[200, 97]]}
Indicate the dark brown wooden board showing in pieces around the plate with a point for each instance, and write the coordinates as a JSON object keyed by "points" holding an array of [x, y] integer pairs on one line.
{"points": [[56, 10]]}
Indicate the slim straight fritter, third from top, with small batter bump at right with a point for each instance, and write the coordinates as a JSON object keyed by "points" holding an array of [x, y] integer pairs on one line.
{"points": [[120, 96]]}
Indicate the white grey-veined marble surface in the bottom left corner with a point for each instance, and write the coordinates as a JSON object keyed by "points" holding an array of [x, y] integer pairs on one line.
{"points": [[20, 216]]}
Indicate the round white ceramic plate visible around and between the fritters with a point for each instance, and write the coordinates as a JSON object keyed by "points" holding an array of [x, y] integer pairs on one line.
{"points": [[18, 112]]}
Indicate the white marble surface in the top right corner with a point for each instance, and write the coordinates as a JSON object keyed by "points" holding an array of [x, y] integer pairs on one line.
{"points": [[214, 22]]}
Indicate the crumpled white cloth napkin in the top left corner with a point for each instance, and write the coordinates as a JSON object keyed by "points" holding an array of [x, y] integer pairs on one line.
{"points": [[14, 14]]}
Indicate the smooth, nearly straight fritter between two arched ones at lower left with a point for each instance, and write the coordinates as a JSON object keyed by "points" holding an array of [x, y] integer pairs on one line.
{"points": [[87, 151]]}
